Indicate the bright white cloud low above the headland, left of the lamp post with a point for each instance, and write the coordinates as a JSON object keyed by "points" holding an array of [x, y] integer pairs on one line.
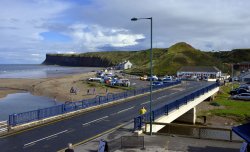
{"points": [[93, 36]]}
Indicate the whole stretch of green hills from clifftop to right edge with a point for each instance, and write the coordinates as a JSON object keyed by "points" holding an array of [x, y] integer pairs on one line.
{"points": [[168, 60]]}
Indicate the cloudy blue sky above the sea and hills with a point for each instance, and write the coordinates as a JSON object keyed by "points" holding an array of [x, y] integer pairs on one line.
{"points": [[31, 28]]}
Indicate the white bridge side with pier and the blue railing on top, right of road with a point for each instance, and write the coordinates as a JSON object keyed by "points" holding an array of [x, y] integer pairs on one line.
{"points": [[183, 109]]}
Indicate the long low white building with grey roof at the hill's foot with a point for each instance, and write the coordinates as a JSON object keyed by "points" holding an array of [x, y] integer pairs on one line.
{"points": [[209, 72]]}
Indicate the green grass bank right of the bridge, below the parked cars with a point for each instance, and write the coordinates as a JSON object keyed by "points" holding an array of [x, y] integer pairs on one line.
{"points": [[237, 109]]}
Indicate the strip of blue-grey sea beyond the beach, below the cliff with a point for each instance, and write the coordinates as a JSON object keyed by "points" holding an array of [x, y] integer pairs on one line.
{"points": [[39, 70]]}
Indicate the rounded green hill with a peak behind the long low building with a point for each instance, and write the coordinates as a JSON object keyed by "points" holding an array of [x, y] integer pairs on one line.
{"points": [[168, 61]]}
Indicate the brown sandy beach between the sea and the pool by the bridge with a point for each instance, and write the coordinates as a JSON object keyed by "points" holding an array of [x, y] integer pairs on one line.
{"points": [[57, 88]]}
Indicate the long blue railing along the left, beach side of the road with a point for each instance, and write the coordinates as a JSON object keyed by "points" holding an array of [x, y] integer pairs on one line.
{"points": [[39, 114]]}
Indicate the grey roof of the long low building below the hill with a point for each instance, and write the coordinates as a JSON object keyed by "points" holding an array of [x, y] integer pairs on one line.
{"points": [[199, 69]]}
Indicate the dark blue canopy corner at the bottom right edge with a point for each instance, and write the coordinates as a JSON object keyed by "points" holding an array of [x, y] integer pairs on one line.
{"points": [[243, 131]]}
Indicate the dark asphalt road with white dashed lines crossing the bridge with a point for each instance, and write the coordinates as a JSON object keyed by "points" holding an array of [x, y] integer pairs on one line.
{"points": [[55, 136]]}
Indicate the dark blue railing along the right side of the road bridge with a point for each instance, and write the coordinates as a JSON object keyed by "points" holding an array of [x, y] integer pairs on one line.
{"points": [[164, 110]]}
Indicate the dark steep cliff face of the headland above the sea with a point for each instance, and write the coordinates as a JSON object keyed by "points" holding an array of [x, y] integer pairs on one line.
{"points": [[76, 61]]}
